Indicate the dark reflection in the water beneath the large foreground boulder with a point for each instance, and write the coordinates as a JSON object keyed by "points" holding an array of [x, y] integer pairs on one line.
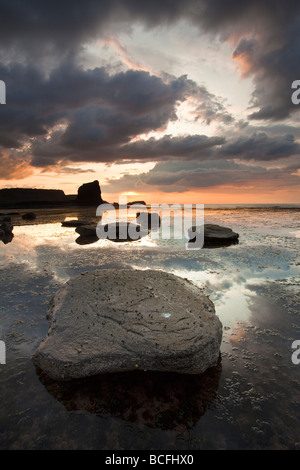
{"points": [[166, 401]]}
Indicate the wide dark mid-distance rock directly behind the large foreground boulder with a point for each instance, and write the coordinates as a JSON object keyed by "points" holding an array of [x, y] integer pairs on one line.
{"points": [[122, 232]]}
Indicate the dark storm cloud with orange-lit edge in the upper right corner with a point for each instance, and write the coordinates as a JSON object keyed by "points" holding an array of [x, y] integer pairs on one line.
{"points": [[266, 38]]}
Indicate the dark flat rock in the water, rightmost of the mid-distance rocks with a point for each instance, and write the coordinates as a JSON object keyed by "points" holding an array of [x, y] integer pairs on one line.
{"points": [[215, 236]]}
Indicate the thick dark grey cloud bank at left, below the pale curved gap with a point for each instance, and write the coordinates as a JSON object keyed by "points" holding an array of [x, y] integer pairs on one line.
{"points": [[86, 115]]}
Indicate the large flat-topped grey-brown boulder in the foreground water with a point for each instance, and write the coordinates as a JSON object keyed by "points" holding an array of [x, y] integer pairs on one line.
{"points": [[113, 320]]}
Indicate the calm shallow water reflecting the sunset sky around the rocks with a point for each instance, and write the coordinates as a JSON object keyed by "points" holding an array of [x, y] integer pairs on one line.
{"points": [[250, 401]]}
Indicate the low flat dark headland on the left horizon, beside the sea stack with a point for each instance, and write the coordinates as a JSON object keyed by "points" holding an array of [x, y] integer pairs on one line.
{"points": [[18, 196]]}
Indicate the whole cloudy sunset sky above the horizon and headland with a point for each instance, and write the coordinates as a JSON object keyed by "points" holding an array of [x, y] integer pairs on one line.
{"points": [[162, 101]]}
